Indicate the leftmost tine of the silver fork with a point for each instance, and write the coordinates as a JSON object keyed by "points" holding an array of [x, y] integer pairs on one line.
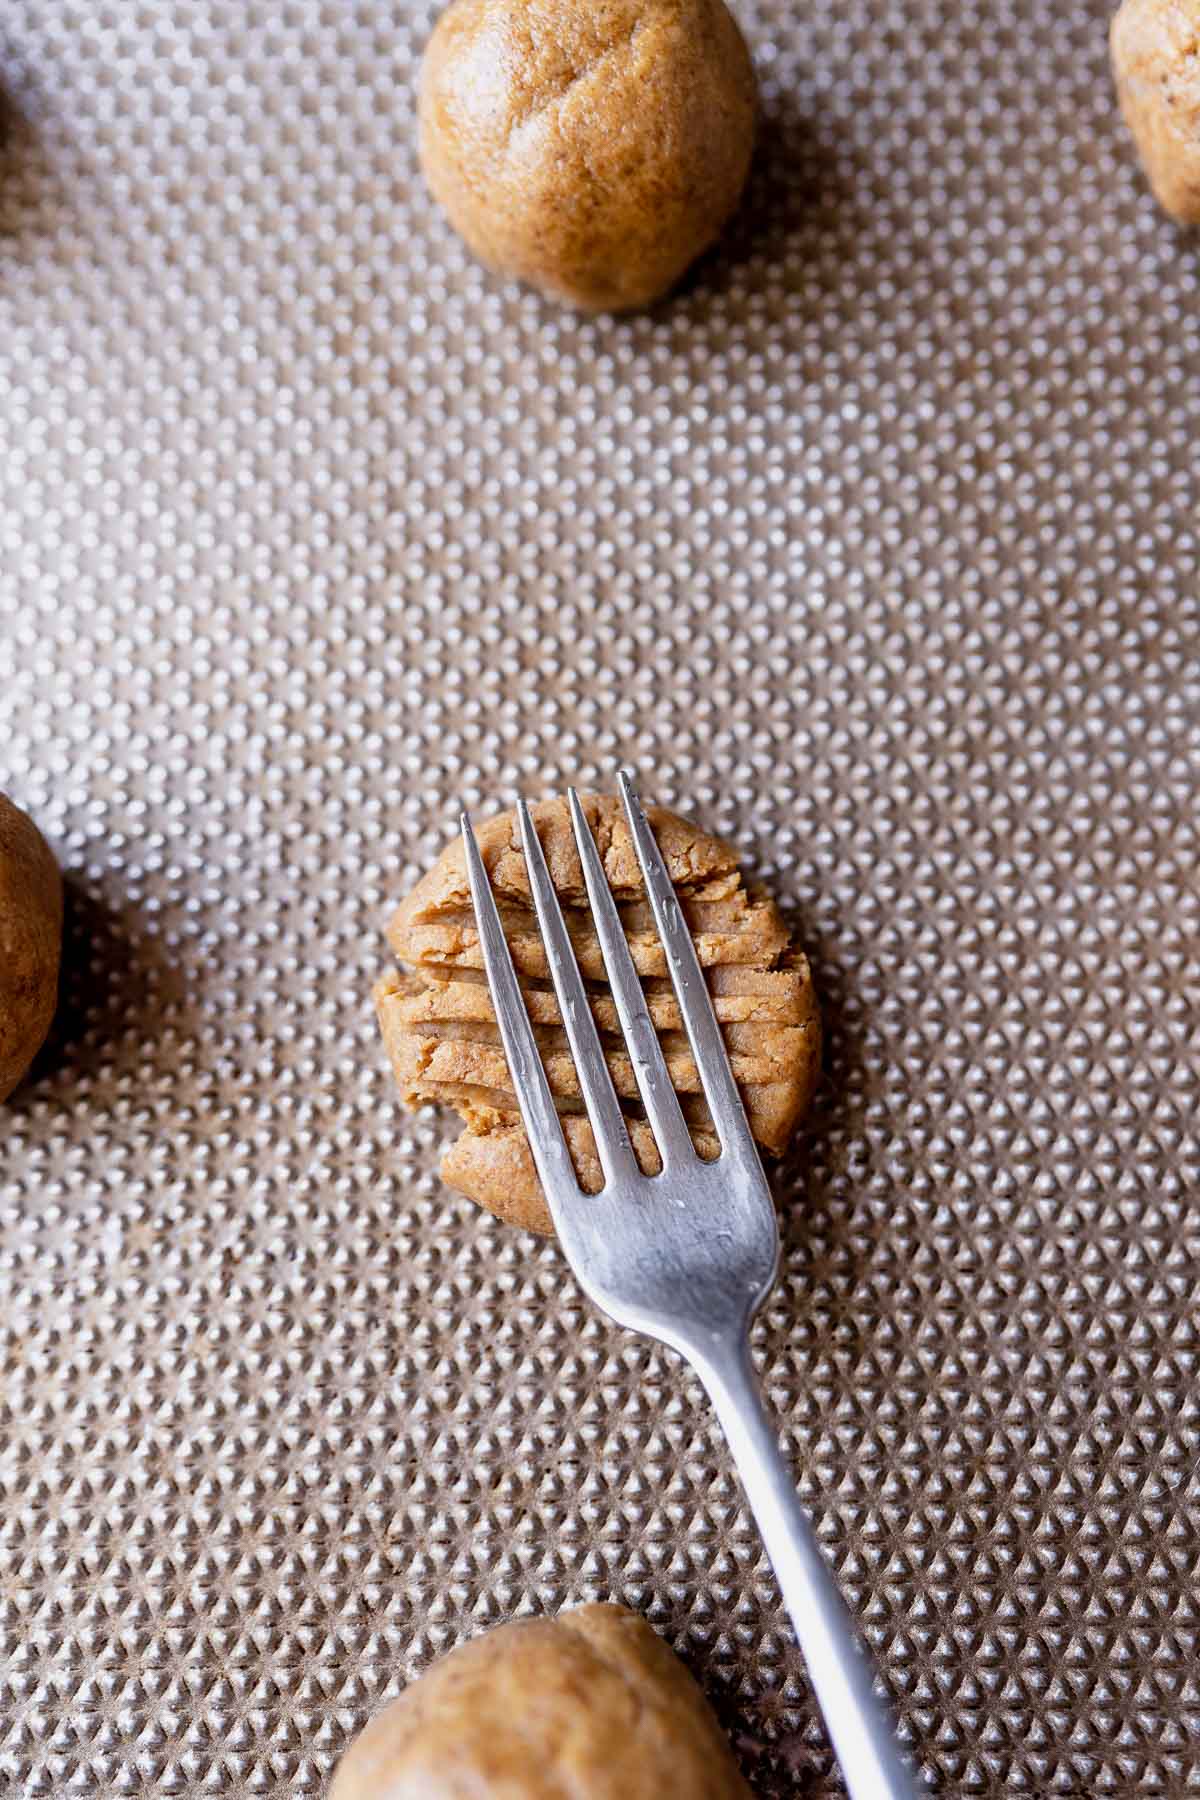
{"points": [[530, 1084]]}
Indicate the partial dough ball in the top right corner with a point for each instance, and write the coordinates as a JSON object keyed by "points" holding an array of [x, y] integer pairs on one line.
{"points": [[1156, 58]]}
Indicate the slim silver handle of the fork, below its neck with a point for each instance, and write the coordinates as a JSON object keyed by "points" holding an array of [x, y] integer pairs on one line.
{"points": [[837, 1666]]}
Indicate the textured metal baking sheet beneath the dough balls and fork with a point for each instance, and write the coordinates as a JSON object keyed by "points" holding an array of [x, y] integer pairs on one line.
{"points": [[877, 550]]}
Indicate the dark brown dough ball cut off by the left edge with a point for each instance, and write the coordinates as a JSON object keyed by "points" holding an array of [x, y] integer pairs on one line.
{"points": [[31, 942]]}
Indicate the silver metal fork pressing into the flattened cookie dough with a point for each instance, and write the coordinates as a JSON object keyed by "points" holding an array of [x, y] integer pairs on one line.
{"points": [[688, 1255]]}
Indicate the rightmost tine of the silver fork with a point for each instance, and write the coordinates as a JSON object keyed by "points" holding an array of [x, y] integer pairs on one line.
{"points": [[692, 991]]}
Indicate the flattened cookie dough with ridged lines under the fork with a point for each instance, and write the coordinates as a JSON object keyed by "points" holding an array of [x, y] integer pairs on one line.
{"points": [[440, 1027]]}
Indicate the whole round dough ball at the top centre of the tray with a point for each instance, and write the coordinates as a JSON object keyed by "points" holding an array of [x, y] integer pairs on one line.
{"points": [[593, 148]]}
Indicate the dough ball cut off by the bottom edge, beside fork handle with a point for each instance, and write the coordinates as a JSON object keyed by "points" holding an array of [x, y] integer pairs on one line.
{"points": [[587, 1704]]}
